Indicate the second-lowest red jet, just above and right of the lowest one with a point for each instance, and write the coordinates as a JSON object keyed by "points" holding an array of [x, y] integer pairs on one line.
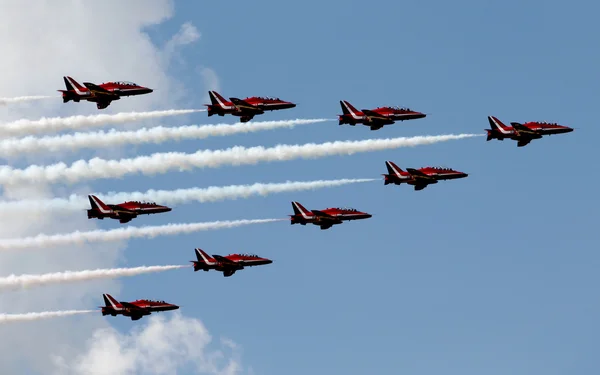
{"points": [[227, 264]]}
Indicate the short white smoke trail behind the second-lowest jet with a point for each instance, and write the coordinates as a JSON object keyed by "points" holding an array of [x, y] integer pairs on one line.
{"points": [[26, 281]]}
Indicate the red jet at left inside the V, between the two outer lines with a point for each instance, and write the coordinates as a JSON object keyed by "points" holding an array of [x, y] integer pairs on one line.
{"points": [[125, 211]]}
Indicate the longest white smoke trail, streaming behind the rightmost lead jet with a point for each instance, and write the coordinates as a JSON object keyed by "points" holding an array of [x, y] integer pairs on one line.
{"points": [[97, 168]]}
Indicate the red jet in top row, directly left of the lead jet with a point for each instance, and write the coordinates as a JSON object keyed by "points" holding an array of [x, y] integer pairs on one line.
{"points": [[375, 118]]}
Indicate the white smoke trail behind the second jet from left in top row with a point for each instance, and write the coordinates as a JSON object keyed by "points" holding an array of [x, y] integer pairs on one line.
{"points": [[27, 127]]}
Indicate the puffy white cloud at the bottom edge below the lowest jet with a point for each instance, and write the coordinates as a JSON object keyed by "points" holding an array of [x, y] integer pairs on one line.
{"points": [[163, 346]]}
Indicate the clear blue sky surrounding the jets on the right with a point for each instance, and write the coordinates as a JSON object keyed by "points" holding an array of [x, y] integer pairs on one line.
{"points": [[495, 273]]}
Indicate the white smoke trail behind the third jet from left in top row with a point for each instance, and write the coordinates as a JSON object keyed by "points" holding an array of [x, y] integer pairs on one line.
{"points": [[159, 134]]}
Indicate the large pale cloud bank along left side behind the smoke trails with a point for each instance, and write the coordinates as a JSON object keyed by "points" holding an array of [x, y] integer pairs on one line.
{"points": [[92, 41]]}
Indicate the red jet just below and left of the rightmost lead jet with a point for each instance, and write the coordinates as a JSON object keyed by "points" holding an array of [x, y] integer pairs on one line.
{"points": [[419, 178]]}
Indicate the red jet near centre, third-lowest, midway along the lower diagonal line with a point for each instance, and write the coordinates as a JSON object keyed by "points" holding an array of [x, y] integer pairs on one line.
{"points": [[325, 218]]}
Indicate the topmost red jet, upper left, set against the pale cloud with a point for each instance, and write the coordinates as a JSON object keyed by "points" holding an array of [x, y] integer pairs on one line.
{"points": [[102, 94]]}
